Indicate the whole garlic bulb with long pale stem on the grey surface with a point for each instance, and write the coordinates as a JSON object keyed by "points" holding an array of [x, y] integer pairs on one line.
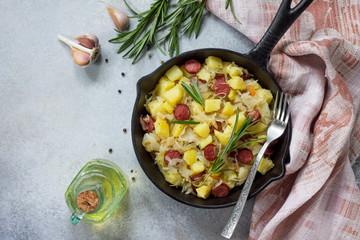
{"points": [[86, 51]]}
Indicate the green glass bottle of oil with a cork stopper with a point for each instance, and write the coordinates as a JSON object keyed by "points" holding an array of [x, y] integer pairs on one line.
{"points": [[106, 180]]}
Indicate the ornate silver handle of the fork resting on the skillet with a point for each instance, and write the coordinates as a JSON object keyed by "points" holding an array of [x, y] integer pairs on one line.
{"points": [[235, 216]]}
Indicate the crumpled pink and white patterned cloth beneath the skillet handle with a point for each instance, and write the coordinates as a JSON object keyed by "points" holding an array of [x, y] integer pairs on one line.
{"points": [[318, 63]]}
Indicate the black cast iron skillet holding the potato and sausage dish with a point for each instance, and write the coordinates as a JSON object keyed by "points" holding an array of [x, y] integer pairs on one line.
{"points": [[256, 61]]}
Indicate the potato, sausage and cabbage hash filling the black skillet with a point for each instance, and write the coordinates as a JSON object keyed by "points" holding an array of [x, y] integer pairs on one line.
{"points": [[193, 111]]}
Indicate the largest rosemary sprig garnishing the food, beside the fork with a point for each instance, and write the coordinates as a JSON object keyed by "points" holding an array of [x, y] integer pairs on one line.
{"points": [[231, 145]]}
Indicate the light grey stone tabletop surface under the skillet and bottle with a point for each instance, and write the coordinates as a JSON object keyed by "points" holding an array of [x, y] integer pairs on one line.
{"points": [[55, 116]]}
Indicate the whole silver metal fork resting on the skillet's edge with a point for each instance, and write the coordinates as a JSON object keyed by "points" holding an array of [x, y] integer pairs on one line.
{"points": [[281, 113]]}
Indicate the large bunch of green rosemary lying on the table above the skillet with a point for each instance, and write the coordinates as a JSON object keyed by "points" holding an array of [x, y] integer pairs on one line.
{"points": [[187, 17]]}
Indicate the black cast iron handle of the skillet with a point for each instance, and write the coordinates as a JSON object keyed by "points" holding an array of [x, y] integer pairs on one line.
{"points": [[284, 18]]}
